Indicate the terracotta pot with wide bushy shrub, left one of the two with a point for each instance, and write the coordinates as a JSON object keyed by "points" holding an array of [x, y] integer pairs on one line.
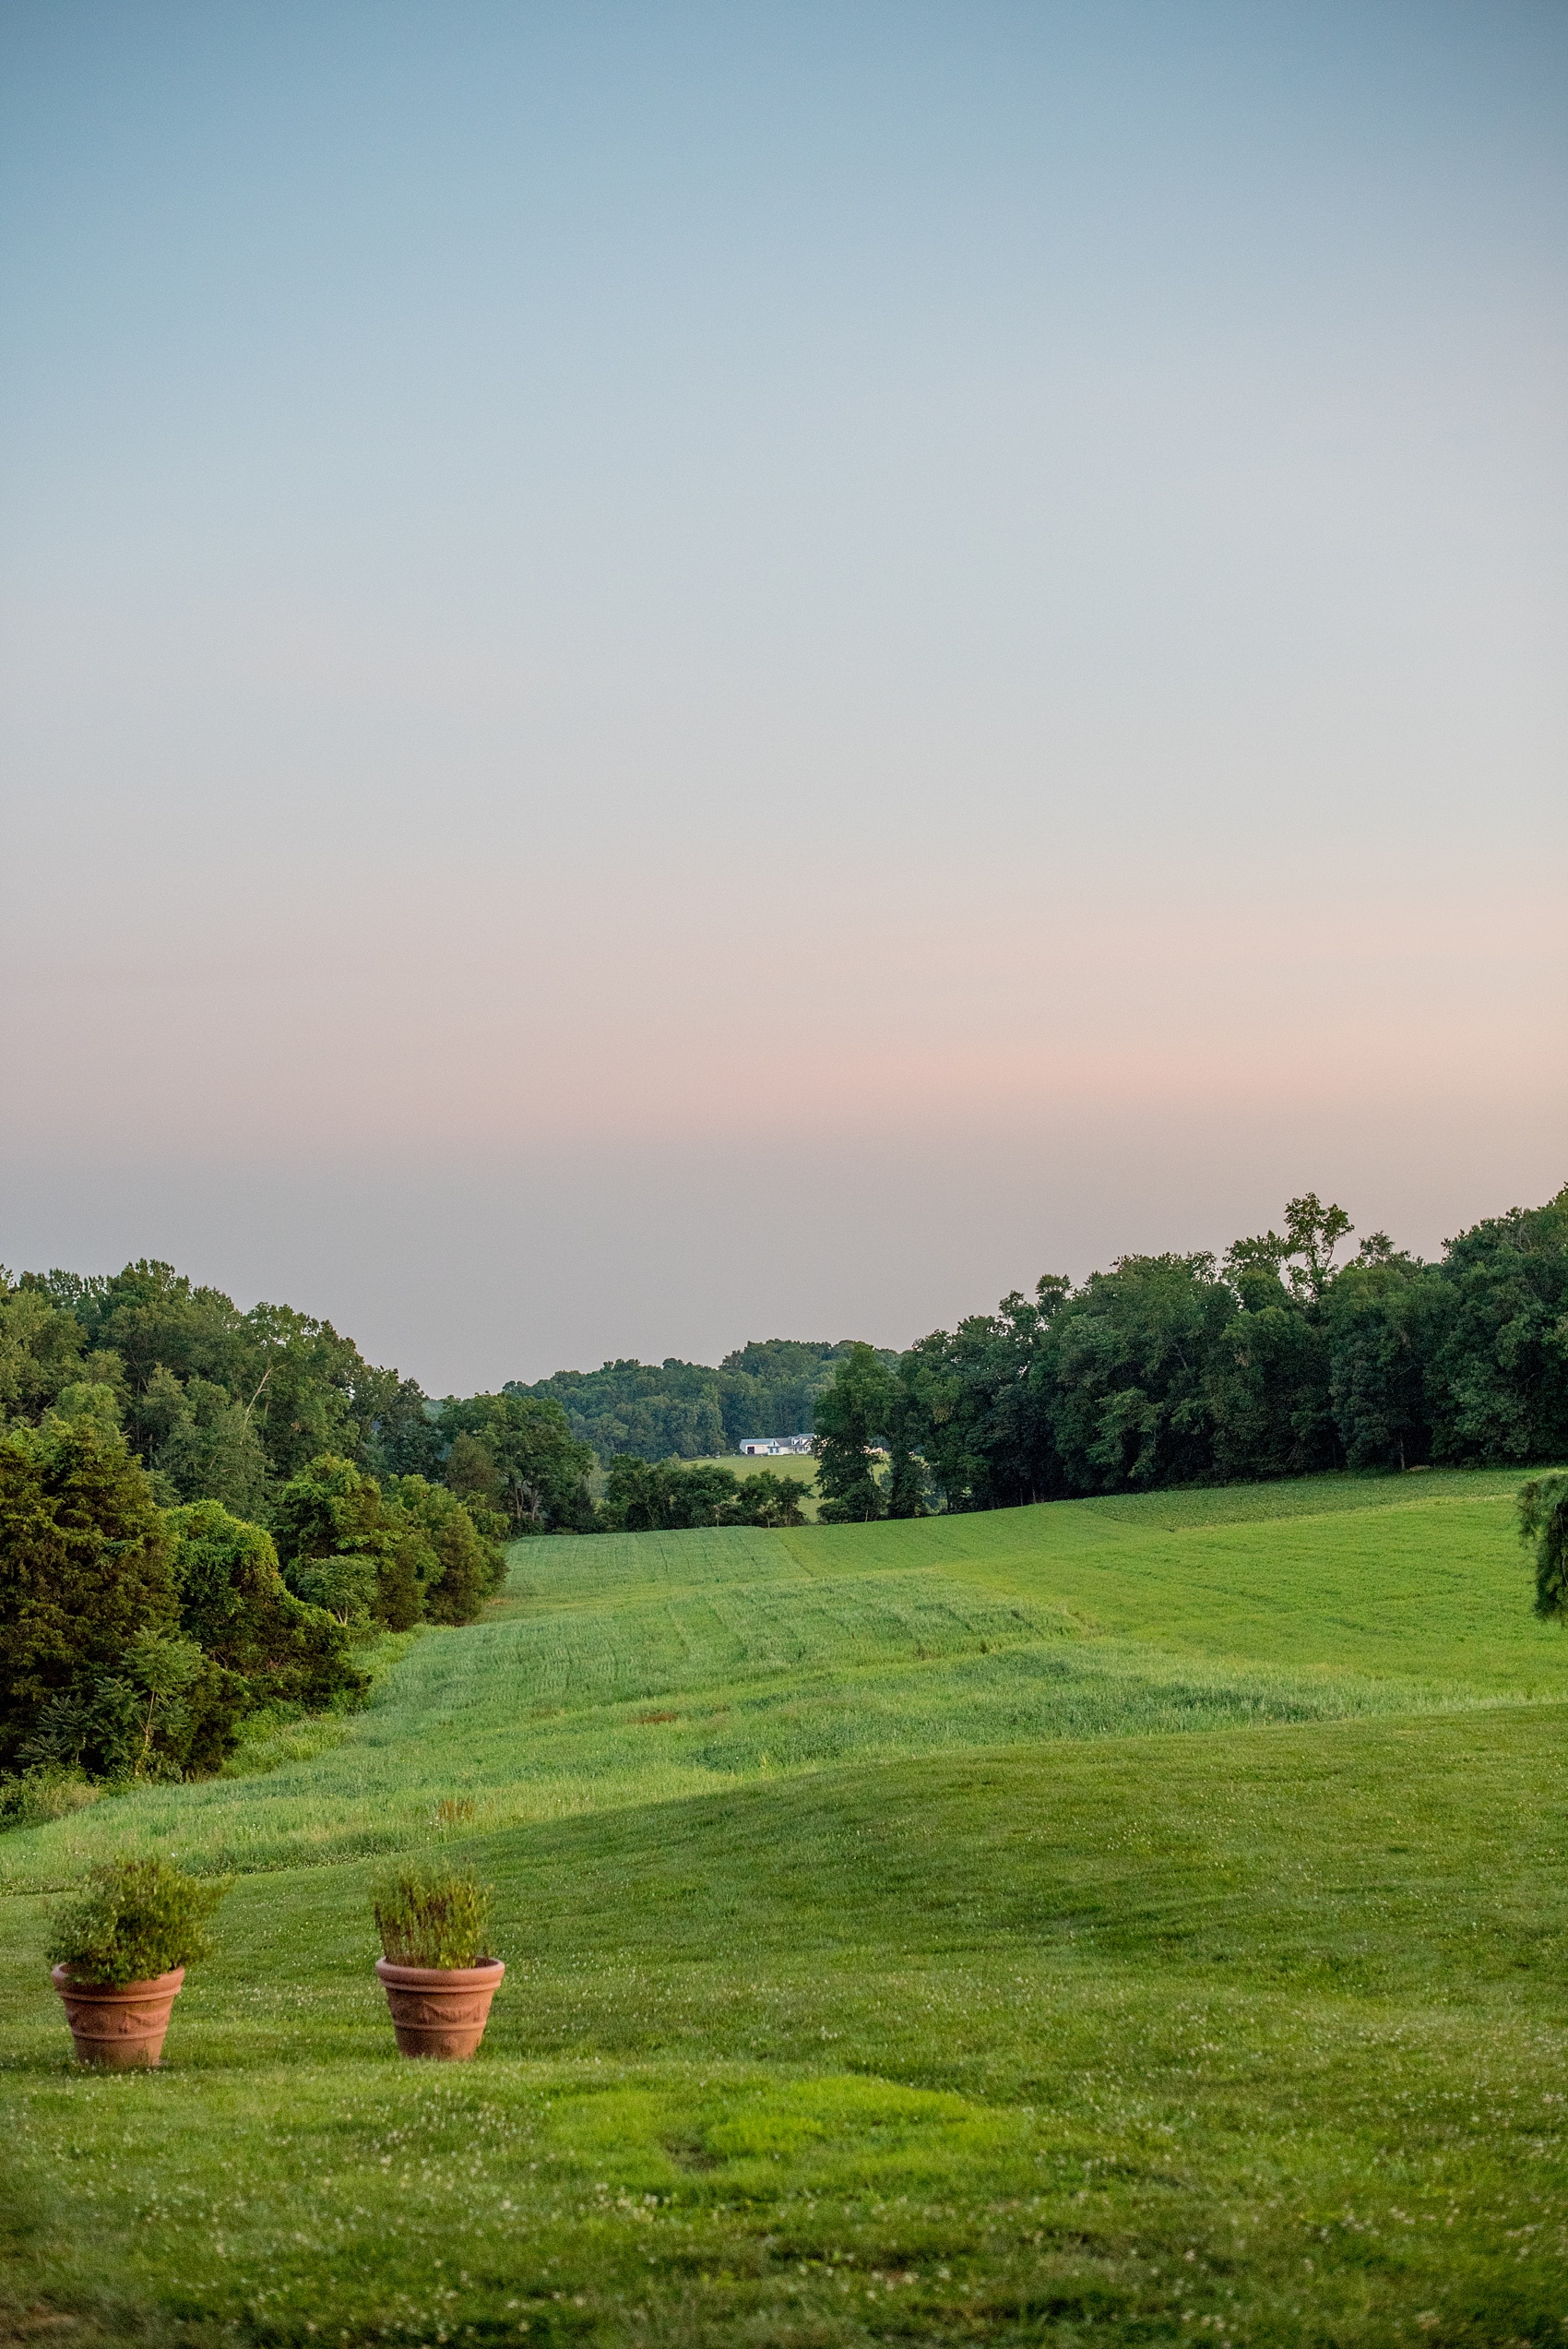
{"points": [[121, 1953]]}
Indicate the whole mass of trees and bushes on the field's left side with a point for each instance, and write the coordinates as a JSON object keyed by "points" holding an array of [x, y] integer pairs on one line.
{"points": [[158, 1451]]}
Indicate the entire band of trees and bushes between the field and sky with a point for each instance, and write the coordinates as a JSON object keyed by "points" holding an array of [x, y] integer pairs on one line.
{"points": [[205, 1512]]}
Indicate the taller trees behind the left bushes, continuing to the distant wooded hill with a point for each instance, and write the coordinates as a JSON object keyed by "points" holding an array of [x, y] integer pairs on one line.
{"points": [[227, 1406]]}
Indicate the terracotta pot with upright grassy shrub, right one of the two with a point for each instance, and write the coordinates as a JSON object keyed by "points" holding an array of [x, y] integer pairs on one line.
{"points": [[435, 1970]]}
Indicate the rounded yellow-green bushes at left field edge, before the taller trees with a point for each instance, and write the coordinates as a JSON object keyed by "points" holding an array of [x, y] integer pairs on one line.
{"points": [[137, 1641]]}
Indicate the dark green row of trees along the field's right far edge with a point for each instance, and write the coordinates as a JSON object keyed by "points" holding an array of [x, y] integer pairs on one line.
{"points": [[1196, 1371]]}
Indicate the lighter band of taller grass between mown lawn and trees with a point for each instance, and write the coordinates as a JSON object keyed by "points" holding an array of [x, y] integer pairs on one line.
{"points": [[651, 1669]]}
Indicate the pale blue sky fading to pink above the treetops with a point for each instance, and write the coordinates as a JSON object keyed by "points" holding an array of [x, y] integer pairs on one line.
{"points": [[682, 673]]}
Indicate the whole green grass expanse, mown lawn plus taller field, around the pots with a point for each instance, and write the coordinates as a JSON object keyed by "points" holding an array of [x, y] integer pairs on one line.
{"points": [[1109, 1923]]}
